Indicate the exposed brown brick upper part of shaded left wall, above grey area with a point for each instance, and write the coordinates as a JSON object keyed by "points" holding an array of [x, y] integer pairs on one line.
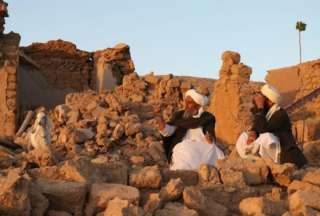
{"points": [[61, 63]]}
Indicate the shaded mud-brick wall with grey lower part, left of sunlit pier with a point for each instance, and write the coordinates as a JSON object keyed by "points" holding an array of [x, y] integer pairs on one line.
{"points": [[51, 70]]}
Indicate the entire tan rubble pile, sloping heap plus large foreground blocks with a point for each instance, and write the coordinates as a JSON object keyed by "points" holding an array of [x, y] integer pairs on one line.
{"points": [[109, 160]]}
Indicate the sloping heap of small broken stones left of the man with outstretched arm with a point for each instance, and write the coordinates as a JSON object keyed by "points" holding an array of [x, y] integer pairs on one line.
{"points": [[116, 120]]}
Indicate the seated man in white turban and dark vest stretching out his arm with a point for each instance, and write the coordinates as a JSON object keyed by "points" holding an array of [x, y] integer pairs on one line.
{"points": [[189, 138]]}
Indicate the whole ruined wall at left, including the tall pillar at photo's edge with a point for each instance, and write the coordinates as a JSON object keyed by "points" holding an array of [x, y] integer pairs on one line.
{"points": [[47, 72]]}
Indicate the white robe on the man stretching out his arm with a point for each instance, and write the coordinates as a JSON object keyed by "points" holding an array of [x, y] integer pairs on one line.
{"points": [[193, 151]]}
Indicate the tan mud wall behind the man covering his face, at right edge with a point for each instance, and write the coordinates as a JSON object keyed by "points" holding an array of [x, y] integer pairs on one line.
{"points": [[300, 88]]}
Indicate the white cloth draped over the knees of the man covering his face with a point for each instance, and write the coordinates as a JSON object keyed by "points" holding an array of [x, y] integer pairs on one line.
{"points": [[266, 145]]}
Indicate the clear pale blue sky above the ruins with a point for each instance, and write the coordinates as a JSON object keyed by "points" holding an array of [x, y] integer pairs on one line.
{"points": [[183, 37]]}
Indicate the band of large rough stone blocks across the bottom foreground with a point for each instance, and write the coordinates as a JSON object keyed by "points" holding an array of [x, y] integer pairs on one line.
{"points": [[94, 186]]}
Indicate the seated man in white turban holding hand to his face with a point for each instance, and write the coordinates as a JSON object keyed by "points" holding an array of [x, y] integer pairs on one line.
{"points": [[271, 134]]}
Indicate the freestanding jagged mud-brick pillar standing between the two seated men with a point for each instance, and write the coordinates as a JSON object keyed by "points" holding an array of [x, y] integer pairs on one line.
{"points": [[232, 99]]}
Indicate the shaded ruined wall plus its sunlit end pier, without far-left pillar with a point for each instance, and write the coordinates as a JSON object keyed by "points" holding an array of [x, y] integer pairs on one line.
{"points": [[52, 70]]}
